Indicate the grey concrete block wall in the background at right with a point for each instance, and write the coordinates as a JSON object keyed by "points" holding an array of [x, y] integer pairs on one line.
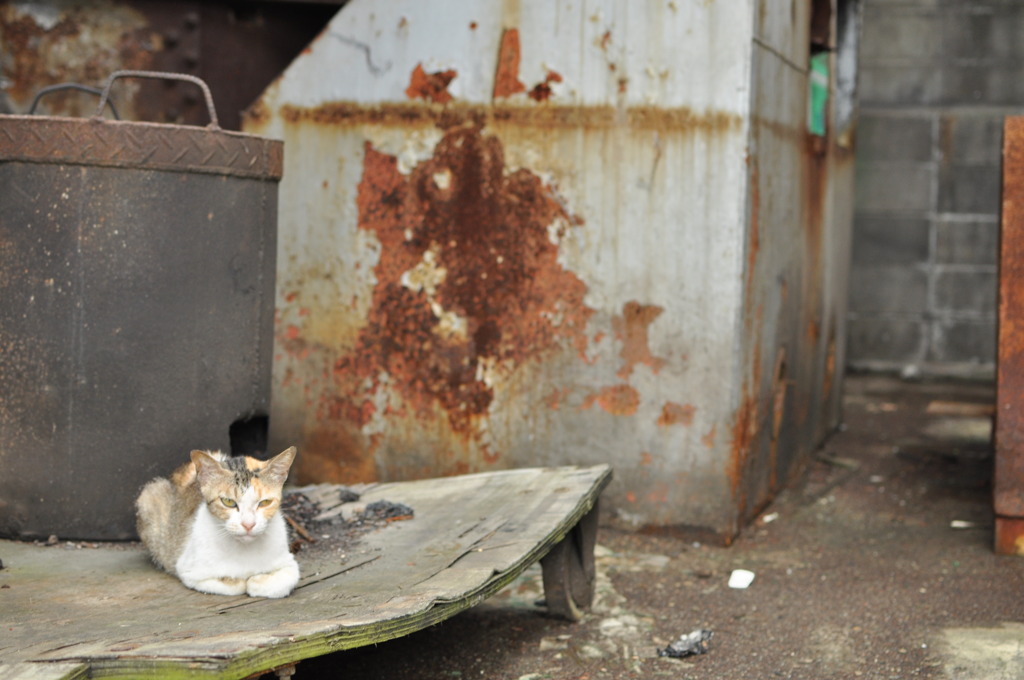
{"points": [[936, 78]]}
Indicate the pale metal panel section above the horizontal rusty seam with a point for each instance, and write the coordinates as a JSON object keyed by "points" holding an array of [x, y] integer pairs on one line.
{"points": [[672, 55]]}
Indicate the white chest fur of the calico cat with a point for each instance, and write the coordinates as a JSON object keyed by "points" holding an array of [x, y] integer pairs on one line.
{"points": [[214, 554]]}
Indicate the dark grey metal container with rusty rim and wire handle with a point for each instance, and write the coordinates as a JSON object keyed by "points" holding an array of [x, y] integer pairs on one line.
{"points": [[138, 276]]}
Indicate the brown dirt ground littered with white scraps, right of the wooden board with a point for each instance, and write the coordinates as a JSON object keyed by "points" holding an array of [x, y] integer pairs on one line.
{"points": [[876, 564]]}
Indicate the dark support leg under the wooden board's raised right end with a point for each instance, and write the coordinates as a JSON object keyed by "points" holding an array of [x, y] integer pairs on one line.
{"points": [[570, 572]]}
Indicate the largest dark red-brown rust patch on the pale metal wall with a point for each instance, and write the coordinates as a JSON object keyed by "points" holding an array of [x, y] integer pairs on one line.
{"points": [[468, 282]]}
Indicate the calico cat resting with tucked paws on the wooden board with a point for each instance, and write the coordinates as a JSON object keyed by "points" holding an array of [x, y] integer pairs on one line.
{"points": [[216, 525]]}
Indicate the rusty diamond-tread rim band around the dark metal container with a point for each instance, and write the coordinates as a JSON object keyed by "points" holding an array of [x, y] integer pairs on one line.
{"points": [[104, 143]]}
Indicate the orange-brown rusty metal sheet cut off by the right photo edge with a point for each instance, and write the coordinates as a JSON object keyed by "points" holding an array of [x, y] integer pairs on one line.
{"points": [[1009, 480]]}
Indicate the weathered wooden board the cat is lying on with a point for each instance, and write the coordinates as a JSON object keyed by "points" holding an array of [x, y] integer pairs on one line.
{"points": [[109, 609]]}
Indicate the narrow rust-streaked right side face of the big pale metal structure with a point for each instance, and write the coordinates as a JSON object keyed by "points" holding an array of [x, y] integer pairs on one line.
{"points": [[798, 247]]}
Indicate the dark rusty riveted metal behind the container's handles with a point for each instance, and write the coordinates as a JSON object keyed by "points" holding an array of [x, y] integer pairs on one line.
{"points": [[237, 49]]}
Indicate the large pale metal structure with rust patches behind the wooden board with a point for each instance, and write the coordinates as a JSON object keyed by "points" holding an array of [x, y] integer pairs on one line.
{"points": [[534, 234]]}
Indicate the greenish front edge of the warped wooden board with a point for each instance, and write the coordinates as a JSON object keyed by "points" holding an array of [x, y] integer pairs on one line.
{"points": [[293, 651]]}
